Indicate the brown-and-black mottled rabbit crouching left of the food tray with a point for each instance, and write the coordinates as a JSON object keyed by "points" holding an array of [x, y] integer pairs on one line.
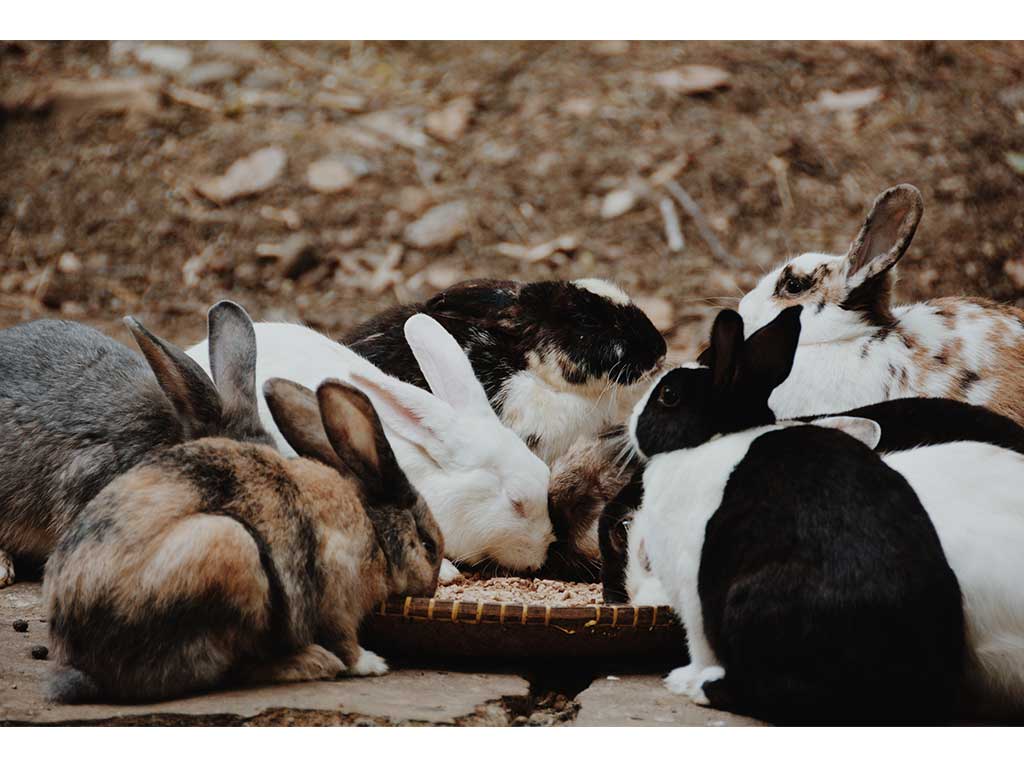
{"points": [[217, 562]]}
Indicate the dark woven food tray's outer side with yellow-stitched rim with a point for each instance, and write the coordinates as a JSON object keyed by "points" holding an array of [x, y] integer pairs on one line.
{"points": [[428, 628]]}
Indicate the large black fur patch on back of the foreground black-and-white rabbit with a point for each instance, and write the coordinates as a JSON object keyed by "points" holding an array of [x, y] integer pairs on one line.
{"points": [[827, 585]]}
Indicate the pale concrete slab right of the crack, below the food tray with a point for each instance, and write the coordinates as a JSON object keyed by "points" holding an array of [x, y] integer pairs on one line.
{"points": [[644, 700]]}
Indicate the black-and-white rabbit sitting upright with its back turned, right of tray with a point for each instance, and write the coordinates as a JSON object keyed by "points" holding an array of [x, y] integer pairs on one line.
{"points": [[810, 580]]}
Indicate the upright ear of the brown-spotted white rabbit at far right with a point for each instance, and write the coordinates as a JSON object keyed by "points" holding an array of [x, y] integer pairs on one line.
{"points": [[886, 235]]}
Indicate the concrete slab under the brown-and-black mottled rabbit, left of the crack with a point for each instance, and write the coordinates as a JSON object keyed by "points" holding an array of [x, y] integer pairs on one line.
{"points": [[404, 697]]}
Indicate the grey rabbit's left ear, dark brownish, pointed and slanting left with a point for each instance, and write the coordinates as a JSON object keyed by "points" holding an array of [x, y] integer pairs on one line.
{"points": [[188, 388]]}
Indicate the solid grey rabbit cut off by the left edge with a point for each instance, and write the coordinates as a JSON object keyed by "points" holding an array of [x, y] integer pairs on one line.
{"points": [[78, 409]]}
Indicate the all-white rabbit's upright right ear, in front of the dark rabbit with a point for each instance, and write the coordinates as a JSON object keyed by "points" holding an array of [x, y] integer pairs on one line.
{"points": [[445, 365]]}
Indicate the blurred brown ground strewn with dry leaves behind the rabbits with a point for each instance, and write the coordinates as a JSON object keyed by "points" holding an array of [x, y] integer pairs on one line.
{"points": [[324, 182]]}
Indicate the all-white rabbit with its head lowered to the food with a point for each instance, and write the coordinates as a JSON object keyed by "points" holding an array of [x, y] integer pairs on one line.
{"points": [[489, 492]]}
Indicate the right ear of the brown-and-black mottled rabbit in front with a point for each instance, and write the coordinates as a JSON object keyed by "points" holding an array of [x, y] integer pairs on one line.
{"points": [[358, 438]]}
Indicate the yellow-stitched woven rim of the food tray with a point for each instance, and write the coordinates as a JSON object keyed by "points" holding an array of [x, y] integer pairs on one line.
{"points": [[567, 618]]}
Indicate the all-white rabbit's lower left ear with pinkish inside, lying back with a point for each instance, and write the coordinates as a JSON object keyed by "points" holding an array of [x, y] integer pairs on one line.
{"points": [[409, 412]]}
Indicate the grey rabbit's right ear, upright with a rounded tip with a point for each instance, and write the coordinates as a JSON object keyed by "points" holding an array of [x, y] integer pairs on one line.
{"points": [[233, 356]]}
